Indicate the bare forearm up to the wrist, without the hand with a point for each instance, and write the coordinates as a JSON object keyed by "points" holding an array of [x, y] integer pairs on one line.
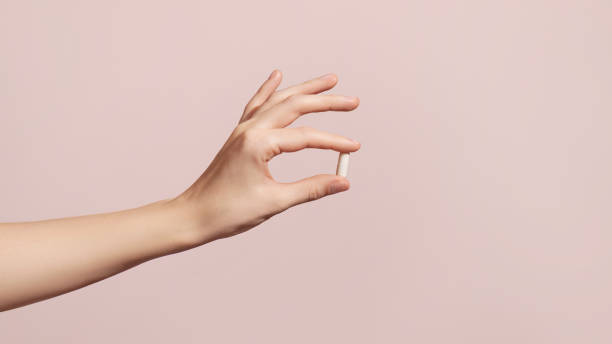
{"points": [[42, 259]]}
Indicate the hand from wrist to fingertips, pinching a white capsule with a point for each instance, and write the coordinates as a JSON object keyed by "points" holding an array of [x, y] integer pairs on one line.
{"points": [[237, 191]]}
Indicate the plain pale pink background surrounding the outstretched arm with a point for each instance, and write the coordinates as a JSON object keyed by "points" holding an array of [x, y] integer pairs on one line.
{"points": [[480, 208]]}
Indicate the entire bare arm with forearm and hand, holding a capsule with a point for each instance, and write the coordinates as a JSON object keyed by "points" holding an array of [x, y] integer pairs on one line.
{"points": [[43, 259]]}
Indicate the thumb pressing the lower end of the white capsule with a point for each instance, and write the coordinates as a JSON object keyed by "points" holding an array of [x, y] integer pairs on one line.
{"points": [[313, 188]]}
